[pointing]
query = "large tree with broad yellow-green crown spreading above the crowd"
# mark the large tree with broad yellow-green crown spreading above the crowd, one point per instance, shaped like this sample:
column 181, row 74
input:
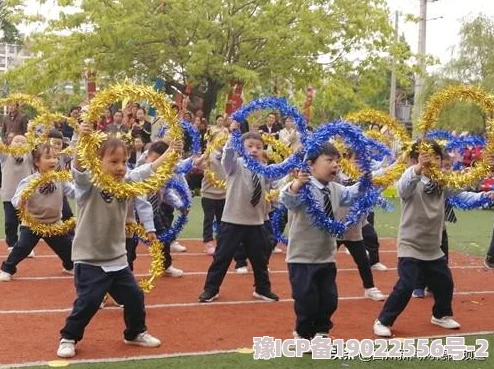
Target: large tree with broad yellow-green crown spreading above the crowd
column 205, row 44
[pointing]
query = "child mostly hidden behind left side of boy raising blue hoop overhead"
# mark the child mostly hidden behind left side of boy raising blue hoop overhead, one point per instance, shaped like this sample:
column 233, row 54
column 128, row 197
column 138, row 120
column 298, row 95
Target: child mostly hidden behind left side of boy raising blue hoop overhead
column 212, row 200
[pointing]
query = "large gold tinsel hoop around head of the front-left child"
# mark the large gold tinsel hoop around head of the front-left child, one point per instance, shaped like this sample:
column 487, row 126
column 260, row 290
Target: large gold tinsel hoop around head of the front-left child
column 87, row 145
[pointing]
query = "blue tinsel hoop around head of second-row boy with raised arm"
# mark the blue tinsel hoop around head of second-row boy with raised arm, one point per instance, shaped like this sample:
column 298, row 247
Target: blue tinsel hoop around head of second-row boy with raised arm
column 272, row 103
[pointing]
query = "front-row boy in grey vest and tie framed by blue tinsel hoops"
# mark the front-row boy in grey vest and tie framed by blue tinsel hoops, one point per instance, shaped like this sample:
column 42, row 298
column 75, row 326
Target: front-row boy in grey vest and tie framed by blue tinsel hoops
column 311, row 252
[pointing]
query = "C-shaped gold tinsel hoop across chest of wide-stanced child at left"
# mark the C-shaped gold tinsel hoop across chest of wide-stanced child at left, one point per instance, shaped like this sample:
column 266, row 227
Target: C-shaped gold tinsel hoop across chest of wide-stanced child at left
column 43, row 229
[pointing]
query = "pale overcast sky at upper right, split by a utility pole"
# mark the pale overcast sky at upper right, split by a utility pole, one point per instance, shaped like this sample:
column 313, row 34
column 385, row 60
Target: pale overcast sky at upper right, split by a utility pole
column 442, row 34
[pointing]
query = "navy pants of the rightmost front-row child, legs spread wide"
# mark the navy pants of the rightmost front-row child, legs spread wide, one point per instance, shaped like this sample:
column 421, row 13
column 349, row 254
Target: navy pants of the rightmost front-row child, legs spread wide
column 439, row 278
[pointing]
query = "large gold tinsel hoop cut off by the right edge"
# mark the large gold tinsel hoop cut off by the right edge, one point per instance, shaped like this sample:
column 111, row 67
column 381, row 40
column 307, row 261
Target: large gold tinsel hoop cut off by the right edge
column 435, row 105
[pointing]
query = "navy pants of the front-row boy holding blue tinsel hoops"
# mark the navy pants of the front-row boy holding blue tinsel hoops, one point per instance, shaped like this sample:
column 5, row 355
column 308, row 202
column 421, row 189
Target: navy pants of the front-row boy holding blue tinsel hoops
column 316, row 297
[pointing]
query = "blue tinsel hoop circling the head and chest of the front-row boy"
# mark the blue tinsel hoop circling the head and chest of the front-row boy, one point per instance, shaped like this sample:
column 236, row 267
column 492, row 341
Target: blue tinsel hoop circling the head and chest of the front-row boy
column 362, row 145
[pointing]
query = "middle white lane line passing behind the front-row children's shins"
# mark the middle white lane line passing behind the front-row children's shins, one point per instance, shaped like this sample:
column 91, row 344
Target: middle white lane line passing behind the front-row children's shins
column 199, row 304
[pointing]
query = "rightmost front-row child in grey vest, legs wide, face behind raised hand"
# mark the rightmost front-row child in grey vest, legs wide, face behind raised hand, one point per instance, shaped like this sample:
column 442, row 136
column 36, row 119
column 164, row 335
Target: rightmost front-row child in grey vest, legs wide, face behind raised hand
column 419, row 240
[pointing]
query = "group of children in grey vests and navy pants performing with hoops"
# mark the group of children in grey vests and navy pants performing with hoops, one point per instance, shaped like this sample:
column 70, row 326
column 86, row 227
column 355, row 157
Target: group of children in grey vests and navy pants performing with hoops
column 102, row 262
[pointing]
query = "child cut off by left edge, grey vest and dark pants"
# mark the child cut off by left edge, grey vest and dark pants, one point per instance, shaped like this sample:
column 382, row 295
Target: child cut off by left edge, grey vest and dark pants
column 14, row 169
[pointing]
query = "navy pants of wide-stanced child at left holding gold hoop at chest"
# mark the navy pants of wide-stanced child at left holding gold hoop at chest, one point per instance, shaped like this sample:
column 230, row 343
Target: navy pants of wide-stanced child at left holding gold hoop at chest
column 61, row 245
